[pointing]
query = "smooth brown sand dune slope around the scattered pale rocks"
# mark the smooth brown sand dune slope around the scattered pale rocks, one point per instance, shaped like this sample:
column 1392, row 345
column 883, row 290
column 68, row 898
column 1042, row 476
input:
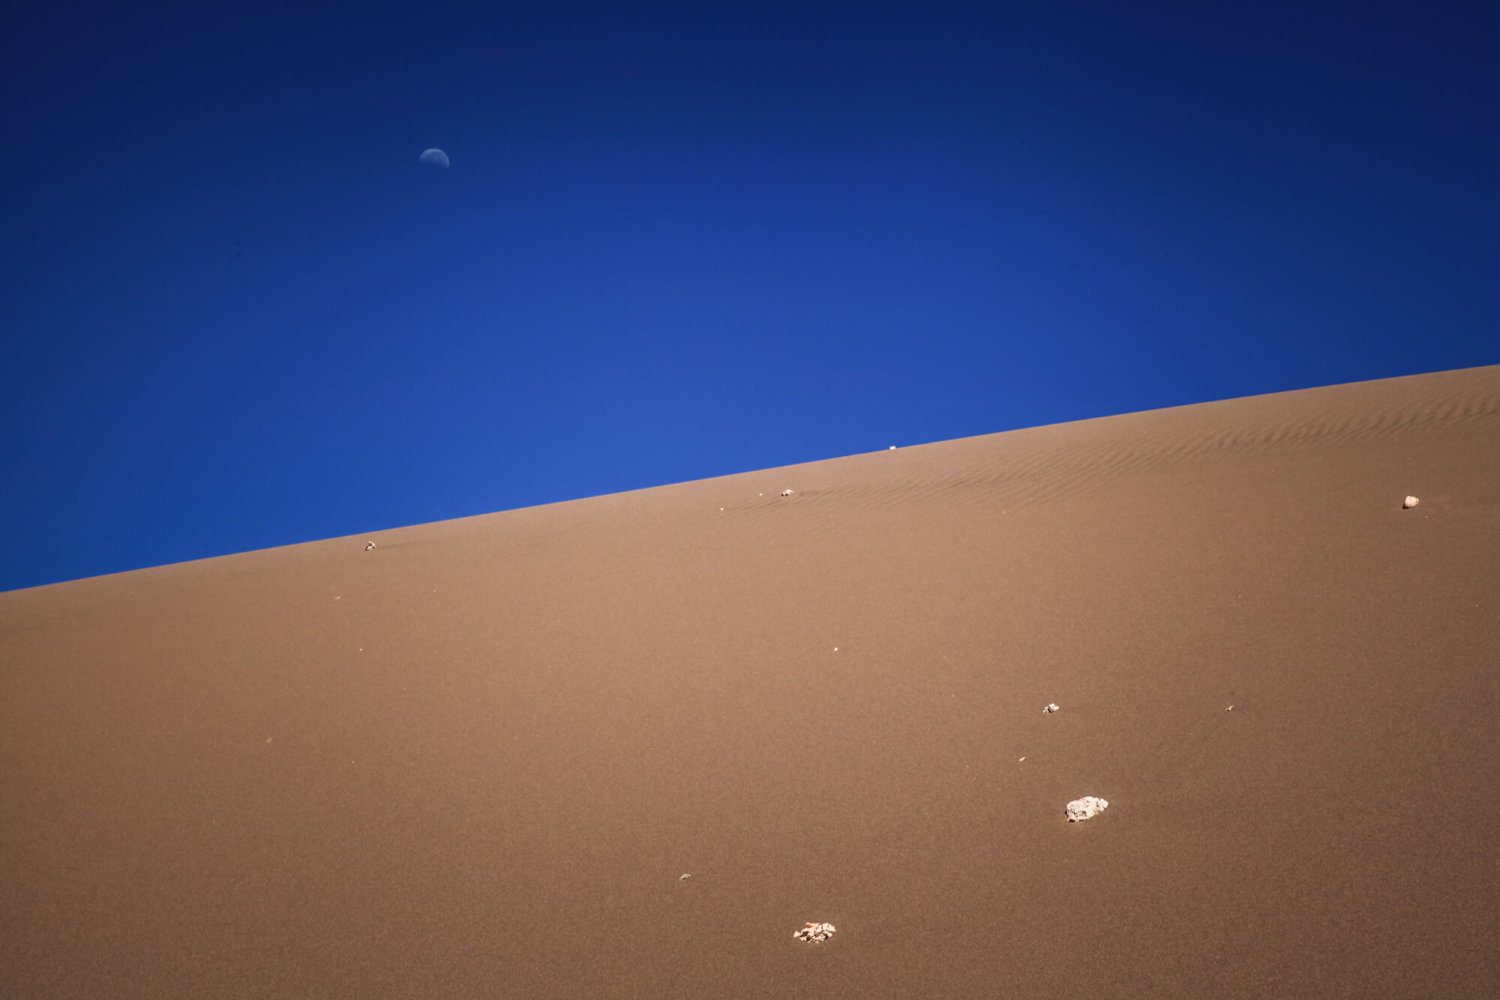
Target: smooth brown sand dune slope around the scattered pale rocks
column 475, row 761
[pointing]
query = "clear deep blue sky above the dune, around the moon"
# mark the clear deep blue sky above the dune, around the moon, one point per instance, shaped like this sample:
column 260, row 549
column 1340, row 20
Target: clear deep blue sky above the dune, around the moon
column 689, row 239
